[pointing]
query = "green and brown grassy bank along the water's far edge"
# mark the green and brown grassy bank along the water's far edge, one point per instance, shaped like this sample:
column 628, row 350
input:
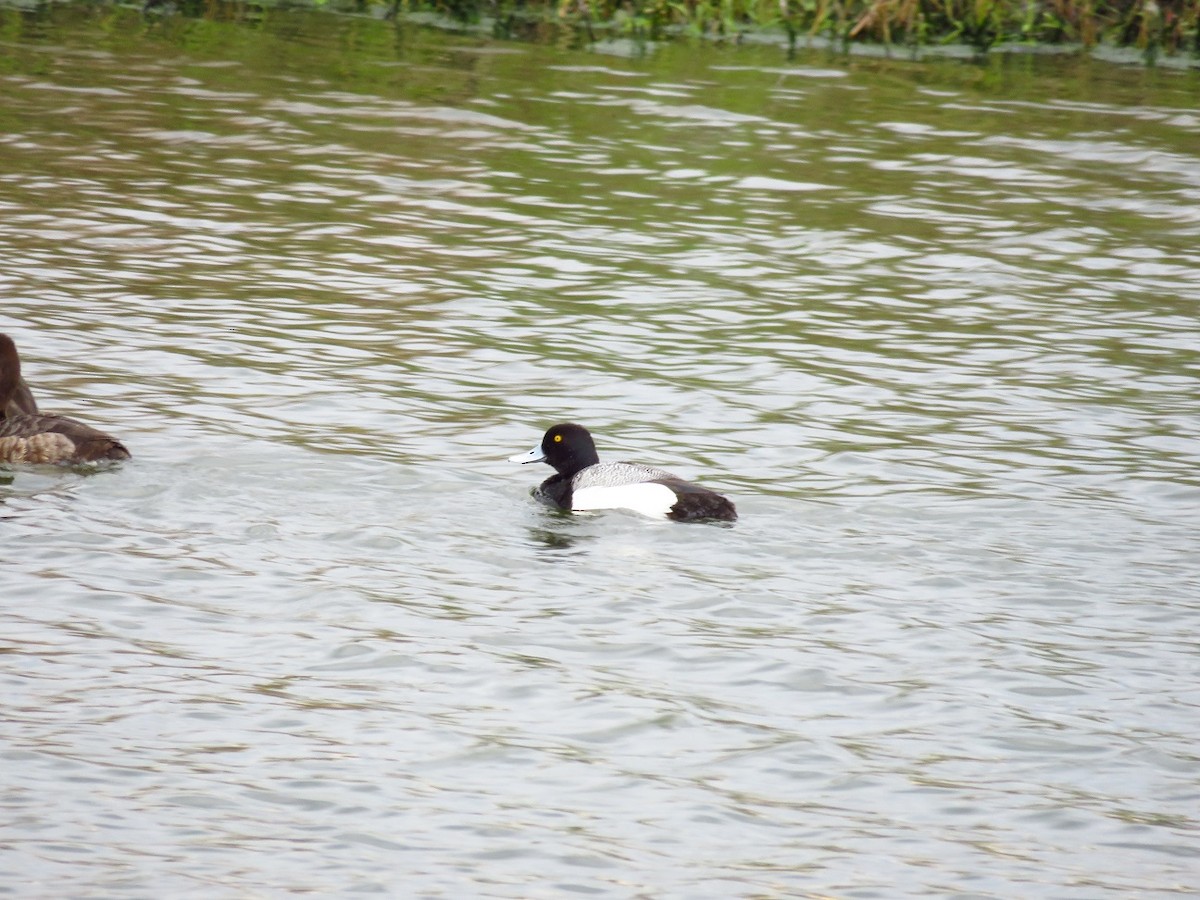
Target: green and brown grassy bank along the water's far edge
column 1153, row 26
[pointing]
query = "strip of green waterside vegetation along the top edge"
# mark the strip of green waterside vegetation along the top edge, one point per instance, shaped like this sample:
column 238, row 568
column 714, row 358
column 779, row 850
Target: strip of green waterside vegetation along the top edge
column 1155, row 27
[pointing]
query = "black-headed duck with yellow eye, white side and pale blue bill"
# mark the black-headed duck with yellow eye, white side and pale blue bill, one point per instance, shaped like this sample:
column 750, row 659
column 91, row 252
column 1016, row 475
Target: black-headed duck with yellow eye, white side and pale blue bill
column 584, row 483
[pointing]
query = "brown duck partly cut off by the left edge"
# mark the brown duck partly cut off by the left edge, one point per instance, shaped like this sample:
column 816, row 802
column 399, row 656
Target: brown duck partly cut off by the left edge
column 29, row 436
